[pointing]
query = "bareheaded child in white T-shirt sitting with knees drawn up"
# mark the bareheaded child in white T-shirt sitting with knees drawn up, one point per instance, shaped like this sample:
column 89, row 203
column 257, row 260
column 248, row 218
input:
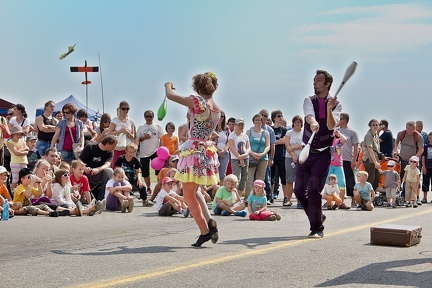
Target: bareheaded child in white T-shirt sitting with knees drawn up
column 117, row 193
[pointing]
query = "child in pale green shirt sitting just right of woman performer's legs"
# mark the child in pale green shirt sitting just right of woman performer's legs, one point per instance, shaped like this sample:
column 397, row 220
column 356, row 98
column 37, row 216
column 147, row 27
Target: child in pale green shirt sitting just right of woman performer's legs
column 227, row 200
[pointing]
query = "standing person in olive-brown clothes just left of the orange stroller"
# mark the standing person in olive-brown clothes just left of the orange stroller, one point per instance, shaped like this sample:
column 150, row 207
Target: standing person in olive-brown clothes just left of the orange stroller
column 371, row 159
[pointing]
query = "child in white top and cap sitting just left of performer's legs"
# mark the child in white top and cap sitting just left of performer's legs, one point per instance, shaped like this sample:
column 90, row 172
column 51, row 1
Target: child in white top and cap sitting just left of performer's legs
column 169, row 202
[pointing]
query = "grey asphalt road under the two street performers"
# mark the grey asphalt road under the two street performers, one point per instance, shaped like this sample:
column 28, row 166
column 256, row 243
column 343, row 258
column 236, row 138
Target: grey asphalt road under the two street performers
column 142, row 249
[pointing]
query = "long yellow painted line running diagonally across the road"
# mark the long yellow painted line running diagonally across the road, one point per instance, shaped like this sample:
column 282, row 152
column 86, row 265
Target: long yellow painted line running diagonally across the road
column 213, row 261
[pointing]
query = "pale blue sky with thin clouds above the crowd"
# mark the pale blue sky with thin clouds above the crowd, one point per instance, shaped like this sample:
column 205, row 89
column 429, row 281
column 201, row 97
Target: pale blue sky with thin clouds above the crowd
column 264, row 53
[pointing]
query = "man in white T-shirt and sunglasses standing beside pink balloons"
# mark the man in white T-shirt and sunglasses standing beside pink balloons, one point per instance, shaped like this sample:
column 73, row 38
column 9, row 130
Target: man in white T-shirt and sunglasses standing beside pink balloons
column 148, row 137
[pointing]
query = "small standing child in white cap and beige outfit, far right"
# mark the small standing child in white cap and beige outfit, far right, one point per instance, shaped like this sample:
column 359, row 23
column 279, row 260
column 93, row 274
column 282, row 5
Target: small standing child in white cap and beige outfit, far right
column 412, row 182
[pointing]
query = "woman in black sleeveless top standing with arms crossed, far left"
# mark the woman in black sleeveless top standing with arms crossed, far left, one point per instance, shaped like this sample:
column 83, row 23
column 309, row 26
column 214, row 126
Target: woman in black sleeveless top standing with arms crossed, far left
column 46, row 125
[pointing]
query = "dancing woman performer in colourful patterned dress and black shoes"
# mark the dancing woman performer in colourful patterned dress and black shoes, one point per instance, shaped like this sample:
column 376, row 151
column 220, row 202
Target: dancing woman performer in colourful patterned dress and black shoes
column 198, row 157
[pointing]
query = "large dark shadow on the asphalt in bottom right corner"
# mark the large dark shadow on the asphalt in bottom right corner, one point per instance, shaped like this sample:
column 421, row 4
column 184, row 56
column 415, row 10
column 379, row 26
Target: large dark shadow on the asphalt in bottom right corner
column 409, row 272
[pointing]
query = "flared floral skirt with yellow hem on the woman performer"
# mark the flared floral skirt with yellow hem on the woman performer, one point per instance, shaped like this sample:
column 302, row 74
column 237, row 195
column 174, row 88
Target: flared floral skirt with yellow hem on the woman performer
column 198, row 163
